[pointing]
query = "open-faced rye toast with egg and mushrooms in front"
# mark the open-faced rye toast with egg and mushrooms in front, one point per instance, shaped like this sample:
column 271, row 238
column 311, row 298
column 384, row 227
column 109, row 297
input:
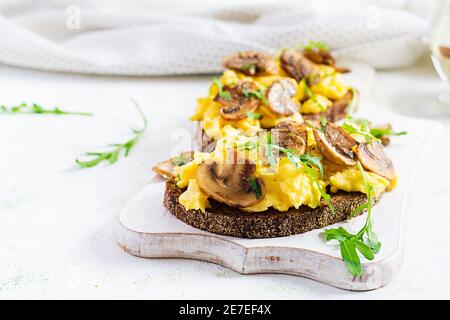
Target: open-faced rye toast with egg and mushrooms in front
column 289, row 180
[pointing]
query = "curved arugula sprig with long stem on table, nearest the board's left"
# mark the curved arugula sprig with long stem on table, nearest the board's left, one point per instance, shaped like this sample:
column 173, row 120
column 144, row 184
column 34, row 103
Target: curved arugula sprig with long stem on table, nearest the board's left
column 113, row 155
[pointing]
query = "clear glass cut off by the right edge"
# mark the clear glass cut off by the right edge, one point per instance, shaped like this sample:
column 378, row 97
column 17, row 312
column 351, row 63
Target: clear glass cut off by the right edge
column 440, row 46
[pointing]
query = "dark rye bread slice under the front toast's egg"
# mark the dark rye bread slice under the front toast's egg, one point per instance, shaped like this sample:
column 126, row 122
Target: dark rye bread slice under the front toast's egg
column 229, row 221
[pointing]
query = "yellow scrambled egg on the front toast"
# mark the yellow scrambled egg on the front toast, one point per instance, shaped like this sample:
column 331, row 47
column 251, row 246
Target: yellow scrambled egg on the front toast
column 286, row 185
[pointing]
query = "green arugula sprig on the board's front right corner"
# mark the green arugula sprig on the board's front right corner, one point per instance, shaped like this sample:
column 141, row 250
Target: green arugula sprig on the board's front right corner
column 365, row 241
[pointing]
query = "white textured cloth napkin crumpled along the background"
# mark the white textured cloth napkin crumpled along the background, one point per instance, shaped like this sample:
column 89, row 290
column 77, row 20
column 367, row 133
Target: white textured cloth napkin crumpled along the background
column 191, row 37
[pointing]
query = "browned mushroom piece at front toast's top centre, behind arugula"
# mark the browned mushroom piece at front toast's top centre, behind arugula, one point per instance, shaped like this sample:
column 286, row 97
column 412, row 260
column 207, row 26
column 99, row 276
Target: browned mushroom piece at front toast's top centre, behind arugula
column 291, row 135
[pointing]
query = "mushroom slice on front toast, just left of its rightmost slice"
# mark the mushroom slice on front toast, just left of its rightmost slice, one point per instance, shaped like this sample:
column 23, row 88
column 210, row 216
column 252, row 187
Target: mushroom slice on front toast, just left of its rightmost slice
column 335, row 144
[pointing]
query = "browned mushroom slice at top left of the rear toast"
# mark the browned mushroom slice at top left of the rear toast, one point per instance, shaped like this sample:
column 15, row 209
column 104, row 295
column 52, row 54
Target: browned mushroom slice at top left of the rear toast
column 252, row 63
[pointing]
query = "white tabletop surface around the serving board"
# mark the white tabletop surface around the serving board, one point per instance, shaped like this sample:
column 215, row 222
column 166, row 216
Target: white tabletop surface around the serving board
column 56, row 221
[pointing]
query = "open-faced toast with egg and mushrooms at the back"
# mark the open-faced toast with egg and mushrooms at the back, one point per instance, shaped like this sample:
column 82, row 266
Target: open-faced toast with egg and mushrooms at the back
column 258, row 90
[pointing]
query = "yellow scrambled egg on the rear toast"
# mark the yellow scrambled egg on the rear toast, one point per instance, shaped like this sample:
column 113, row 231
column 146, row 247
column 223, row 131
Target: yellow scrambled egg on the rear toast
column 315, row 100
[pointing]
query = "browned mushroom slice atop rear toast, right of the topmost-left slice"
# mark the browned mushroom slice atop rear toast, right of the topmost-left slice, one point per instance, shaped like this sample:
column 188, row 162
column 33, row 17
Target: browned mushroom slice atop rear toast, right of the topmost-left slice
column 298, row 66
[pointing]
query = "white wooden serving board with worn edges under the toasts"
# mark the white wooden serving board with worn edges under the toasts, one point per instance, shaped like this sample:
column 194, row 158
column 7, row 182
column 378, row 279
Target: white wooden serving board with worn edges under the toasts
column 145, row 228
